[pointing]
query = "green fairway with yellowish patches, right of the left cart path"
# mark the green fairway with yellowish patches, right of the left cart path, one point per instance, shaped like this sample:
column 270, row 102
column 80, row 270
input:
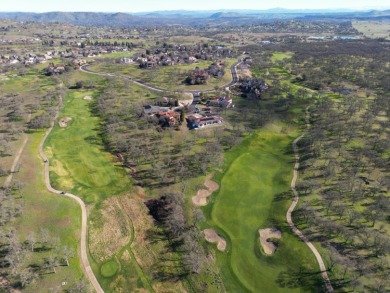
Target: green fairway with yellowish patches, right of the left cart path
column 78, row 162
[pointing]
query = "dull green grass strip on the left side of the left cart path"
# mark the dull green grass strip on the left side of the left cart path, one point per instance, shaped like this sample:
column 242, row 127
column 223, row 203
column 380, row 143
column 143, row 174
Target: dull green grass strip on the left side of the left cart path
column 60, row 216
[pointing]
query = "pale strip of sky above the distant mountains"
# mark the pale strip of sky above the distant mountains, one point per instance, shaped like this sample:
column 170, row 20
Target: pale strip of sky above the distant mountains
column 156, row 5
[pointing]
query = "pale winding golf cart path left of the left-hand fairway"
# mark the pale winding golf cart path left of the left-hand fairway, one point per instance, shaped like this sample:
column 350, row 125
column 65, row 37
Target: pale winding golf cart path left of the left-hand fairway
column 83, row 238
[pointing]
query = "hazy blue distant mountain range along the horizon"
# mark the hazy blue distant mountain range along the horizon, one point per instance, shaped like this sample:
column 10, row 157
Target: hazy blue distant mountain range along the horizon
column 184, row 17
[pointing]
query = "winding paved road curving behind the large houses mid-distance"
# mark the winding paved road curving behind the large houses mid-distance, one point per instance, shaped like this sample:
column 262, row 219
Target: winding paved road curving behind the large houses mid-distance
column 233, row 70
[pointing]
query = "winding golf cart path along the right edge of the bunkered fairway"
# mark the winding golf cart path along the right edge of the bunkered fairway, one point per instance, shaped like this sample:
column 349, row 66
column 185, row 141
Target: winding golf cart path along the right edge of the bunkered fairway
column 294, row 204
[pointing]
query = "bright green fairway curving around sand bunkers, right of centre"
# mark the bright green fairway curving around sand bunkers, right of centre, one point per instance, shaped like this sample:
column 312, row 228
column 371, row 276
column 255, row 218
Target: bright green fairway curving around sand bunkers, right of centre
column 255, row 194
